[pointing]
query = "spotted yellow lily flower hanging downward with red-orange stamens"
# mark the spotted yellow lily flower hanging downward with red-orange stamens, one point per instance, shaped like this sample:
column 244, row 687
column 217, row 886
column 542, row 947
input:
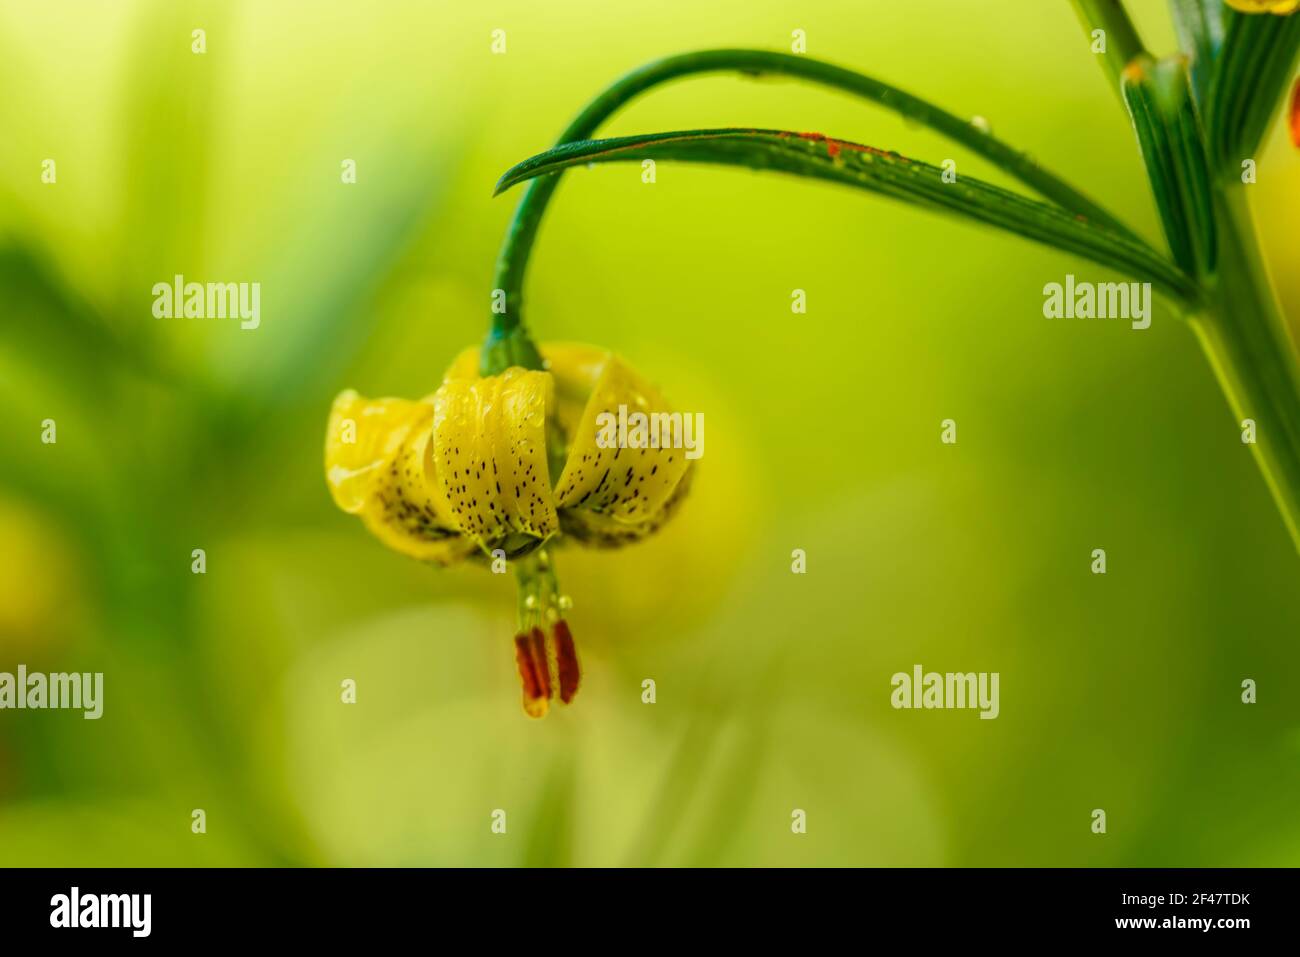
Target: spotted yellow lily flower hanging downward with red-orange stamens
column 466, row 474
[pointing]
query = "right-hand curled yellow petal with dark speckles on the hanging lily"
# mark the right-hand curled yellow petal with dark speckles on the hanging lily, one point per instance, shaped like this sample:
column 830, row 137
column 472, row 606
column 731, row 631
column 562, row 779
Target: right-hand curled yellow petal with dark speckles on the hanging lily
column 623, row 464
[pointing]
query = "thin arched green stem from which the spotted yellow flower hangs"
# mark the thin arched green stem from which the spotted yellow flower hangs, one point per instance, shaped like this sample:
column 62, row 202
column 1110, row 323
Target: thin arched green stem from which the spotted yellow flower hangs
column 509, row 343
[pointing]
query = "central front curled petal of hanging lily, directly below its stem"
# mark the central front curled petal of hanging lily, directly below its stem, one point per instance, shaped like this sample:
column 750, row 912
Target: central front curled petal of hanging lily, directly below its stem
column 489, row 438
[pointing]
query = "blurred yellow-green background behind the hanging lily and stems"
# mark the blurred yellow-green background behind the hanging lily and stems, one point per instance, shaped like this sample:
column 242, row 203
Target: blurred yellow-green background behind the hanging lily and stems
column 223, row 691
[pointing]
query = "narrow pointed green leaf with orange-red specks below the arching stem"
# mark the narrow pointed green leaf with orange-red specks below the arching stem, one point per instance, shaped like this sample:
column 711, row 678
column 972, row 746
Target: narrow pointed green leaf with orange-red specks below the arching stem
column 876, row 171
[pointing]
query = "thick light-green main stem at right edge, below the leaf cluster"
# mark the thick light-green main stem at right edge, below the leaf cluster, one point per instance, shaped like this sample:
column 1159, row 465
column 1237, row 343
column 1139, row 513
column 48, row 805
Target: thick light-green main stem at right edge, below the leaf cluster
column 1246, row 339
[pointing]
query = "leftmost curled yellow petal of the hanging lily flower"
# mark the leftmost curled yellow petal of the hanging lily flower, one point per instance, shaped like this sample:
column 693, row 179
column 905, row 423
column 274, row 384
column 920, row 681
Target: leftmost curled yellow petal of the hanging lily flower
column 379, row 465
